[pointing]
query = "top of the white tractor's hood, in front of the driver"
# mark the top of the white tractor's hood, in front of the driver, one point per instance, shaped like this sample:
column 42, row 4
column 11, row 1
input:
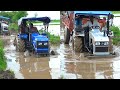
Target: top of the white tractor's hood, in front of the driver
column 98, row 36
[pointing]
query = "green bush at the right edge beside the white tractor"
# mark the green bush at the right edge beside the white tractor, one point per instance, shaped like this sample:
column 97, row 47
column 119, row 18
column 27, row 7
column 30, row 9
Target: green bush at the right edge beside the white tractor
column 116, row 31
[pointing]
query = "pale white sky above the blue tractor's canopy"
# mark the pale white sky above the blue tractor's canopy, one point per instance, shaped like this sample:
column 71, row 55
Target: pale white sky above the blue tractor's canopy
column 51, row 14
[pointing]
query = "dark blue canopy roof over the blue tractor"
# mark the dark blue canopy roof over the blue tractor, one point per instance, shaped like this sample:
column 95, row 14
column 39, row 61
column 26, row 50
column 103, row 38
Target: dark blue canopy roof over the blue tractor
column 43, row 19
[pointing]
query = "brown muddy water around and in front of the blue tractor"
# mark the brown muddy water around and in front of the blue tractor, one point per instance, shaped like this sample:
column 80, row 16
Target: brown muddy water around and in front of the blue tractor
column 32, row 67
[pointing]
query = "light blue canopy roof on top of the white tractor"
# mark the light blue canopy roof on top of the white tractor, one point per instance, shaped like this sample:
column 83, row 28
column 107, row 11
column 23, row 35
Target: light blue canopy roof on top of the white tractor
column 93, row 12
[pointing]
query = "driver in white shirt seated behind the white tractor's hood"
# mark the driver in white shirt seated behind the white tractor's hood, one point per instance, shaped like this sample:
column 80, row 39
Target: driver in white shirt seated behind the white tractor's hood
column 91, row 23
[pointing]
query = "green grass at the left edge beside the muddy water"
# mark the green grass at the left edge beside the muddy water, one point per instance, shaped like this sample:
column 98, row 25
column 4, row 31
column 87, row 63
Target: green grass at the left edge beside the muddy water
column 3, row 63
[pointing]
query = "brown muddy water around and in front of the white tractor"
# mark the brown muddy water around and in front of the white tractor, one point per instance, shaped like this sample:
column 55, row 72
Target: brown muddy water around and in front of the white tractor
column 76, row 66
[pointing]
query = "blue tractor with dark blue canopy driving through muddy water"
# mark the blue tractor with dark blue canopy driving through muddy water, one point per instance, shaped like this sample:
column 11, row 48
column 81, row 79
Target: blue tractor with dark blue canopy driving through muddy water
column 35, row 42
